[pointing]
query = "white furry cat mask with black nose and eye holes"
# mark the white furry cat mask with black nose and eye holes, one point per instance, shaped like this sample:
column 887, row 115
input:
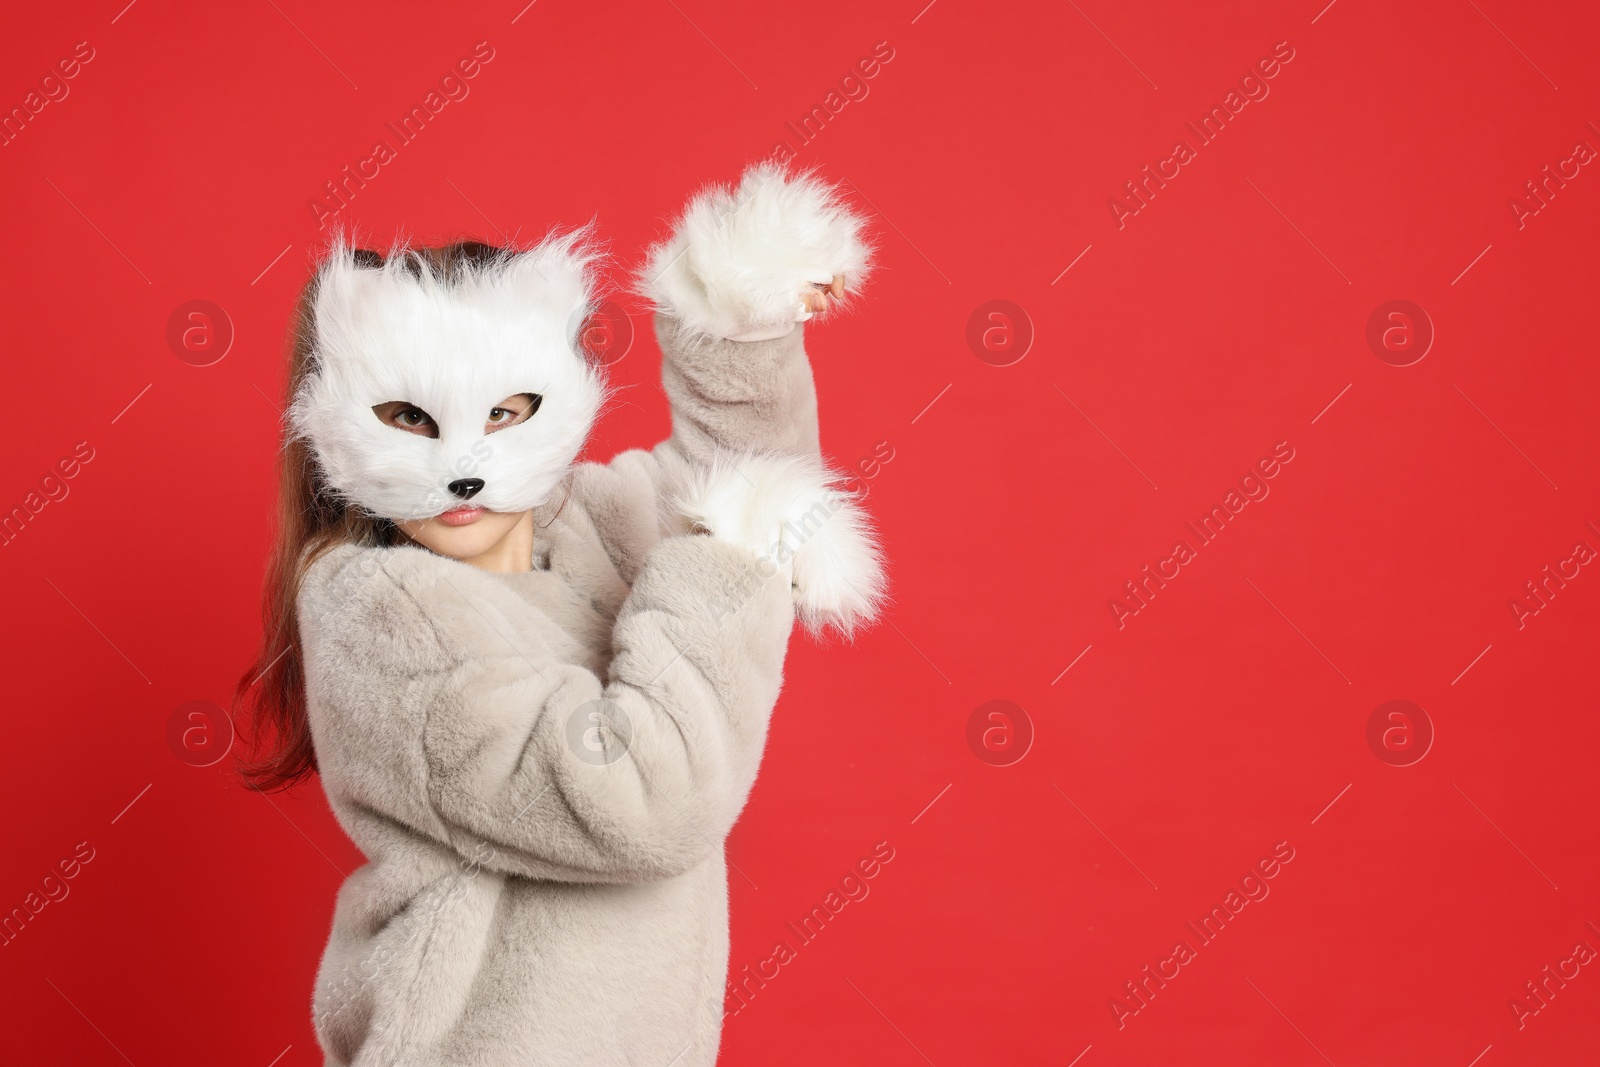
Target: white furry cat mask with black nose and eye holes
column 455, row 348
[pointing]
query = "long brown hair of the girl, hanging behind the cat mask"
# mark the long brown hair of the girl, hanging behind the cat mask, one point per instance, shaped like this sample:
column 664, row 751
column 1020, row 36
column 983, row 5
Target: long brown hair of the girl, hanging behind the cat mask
column 270, row 701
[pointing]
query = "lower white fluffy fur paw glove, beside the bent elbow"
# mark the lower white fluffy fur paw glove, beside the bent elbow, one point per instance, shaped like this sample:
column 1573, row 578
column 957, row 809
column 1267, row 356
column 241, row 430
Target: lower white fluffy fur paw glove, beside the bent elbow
column 801, row 526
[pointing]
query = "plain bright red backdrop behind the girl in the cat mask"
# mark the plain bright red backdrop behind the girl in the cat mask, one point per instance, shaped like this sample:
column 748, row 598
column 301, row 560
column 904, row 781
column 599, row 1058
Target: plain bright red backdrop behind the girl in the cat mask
column 1223, row 319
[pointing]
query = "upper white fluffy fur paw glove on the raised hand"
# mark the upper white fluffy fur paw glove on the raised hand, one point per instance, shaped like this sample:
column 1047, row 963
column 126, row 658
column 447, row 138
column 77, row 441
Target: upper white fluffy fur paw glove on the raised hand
column 746, row 265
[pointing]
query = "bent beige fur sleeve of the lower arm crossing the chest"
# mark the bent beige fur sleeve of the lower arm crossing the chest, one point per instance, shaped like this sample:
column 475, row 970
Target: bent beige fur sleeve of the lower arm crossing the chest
column 447, row 703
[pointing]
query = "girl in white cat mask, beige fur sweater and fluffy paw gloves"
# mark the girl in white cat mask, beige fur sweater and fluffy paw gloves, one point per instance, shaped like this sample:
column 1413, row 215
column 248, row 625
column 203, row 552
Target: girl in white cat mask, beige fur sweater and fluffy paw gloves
column 537, row 693
